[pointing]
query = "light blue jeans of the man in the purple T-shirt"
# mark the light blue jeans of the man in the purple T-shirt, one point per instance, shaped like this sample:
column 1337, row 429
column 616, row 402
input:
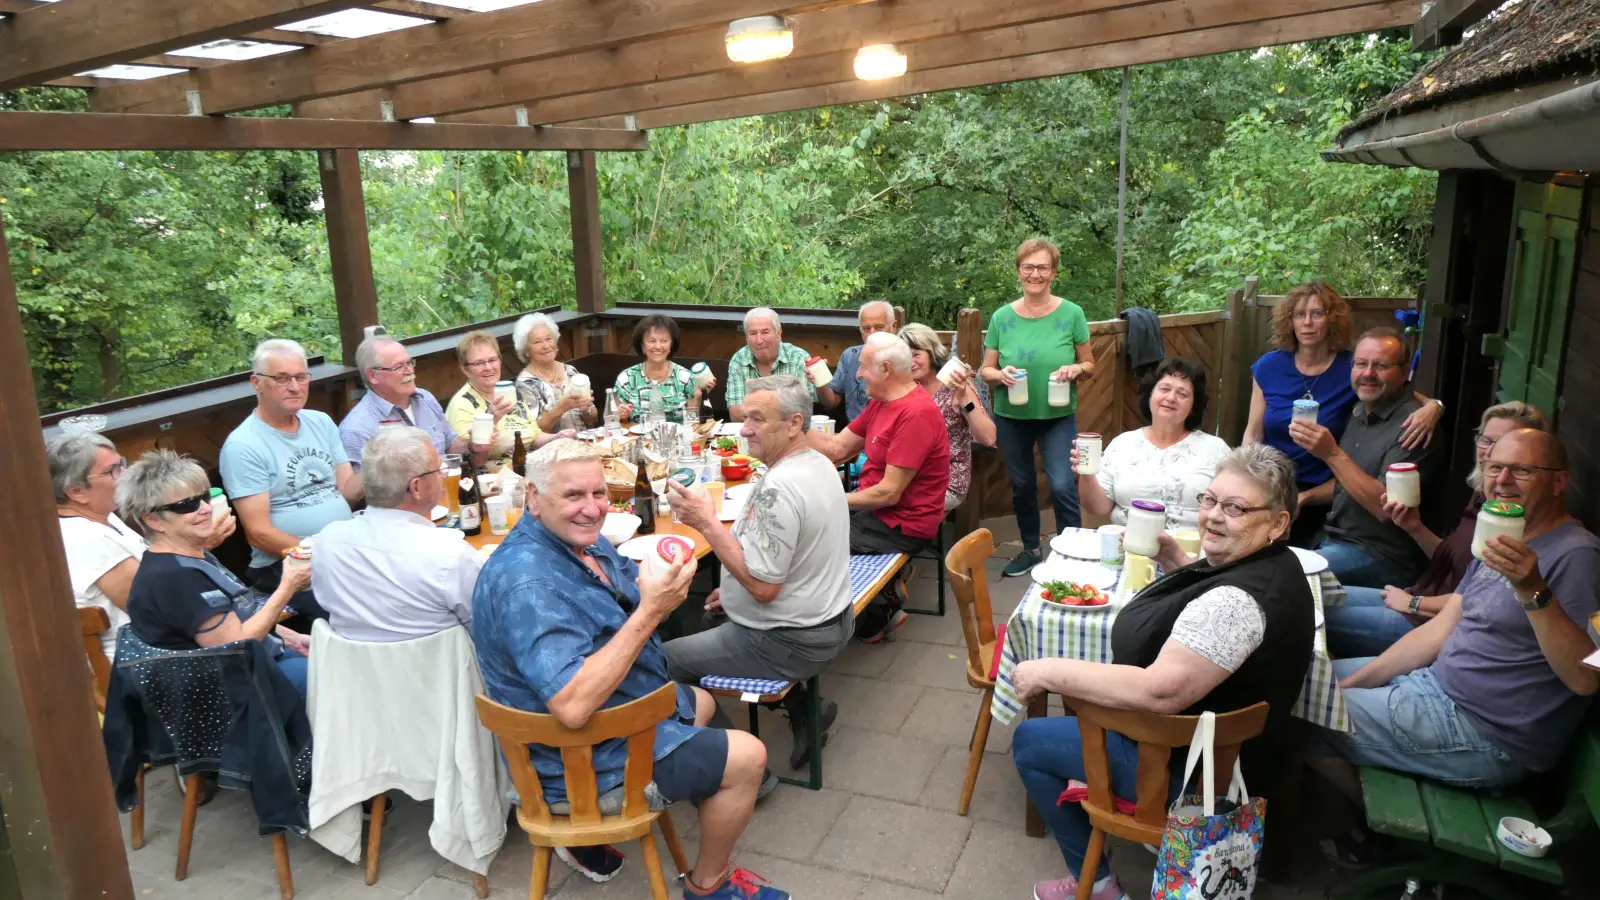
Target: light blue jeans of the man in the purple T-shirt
column 1412, row 726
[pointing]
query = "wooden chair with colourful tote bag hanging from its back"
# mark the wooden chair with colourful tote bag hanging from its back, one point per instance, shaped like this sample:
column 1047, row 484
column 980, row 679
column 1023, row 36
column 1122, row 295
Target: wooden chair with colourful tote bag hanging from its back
column 1156, row 736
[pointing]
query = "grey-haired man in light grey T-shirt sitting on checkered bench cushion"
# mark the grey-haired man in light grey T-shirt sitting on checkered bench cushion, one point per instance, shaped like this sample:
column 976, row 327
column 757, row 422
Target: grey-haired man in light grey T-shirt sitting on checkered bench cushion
column 785, row 563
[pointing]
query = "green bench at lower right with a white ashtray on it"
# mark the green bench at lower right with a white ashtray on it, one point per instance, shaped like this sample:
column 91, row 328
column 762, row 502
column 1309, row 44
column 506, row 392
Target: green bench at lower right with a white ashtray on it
column 1455, row 830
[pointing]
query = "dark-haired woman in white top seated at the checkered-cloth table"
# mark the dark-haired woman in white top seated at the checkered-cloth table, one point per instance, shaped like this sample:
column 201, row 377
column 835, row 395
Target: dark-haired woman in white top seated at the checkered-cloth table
column 1169, row 460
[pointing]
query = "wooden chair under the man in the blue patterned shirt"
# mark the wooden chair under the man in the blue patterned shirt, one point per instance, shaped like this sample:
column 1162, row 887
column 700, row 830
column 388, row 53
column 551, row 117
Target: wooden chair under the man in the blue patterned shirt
column 586, row 827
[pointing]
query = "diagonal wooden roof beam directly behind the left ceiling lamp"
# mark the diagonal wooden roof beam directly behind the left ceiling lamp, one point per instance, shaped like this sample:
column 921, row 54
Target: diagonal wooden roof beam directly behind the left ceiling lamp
column 700, row 54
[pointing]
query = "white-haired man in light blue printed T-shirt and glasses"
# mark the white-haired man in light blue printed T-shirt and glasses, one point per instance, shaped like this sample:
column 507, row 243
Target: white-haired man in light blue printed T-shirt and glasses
column 284, row 467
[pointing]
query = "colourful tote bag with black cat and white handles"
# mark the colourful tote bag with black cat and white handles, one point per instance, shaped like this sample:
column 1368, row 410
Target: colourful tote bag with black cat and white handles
column 1210, row 851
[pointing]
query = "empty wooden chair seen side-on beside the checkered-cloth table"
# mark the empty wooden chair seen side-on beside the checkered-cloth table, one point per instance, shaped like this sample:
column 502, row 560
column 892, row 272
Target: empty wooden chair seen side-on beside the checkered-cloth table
column 969, row 579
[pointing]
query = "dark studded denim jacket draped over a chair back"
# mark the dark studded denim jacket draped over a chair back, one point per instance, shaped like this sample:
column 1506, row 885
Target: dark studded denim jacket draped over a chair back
column 225, row 710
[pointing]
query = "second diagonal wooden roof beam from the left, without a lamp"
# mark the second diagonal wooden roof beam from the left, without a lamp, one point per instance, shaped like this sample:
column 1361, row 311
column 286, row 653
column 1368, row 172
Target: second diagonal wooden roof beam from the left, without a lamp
column 482, row 41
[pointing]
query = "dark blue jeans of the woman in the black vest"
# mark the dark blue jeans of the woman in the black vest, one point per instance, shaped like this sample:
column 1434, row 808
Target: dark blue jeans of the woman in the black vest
column 1049, row 753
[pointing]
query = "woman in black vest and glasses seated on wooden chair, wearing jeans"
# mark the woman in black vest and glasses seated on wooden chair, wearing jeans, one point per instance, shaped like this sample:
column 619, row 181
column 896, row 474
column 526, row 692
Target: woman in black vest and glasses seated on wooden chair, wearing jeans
column 1218, row 635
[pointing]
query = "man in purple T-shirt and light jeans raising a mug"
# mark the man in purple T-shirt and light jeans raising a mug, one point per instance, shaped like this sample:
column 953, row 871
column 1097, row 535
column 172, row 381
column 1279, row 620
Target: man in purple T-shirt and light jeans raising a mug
column 1494, row 688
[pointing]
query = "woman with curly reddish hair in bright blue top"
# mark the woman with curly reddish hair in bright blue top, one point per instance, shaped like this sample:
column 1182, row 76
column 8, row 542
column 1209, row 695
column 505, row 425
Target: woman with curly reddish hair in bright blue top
column 1311, row 331
